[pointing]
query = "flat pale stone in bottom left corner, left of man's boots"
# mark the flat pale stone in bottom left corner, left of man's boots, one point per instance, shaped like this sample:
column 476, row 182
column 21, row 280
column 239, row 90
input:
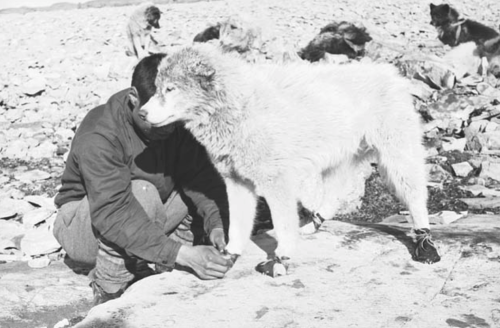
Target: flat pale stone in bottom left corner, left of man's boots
column 39, row 298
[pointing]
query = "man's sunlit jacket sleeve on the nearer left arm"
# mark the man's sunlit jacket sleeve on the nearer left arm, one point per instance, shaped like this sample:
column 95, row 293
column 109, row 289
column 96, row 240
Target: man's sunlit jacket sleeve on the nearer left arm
column 115, row 212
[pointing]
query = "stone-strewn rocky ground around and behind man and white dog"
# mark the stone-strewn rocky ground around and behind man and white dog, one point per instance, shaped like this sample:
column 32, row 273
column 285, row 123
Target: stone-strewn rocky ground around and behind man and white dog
column 57, row 65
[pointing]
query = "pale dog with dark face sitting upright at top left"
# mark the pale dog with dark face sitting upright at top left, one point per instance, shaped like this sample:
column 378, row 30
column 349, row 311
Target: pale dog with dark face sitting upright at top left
column 141, row 22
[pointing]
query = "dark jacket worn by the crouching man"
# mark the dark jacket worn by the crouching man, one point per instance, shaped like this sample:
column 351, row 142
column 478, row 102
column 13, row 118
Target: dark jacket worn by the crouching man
column 107, row 154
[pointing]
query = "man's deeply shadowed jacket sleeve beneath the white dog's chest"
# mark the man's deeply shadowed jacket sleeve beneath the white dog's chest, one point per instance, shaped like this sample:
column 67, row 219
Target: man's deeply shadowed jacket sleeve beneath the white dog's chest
column 200, row 181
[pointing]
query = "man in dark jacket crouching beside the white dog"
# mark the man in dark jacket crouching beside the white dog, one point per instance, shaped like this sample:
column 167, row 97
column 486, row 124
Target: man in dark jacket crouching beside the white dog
column 132, row 195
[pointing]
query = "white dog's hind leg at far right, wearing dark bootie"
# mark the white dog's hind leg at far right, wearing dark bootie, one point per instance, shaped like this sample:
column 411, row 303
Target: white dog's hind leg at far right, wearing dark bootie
column 401, row 163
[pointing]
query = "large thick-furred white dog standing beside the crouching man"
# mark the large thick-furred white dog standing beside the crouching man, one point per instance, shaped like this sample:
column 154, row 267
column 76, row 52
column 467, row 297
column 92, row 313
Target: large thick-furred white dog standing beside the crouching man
column 284, row 131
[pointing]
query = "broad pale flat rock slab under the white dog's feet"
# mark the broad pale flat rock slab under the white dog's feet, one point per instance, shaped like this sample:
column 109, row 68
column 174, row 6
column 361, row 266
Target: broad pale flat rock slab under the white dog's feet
column 346, row 275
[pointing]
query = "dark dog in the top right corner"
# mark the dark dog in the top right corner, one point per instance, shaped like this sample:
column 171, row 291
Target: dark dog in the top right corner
column 453, row 30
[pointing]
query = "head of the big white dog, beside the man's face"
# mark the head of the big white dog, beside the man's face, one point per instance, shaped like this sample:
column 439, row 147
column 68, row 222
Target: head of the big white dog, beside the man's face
column 185, row 82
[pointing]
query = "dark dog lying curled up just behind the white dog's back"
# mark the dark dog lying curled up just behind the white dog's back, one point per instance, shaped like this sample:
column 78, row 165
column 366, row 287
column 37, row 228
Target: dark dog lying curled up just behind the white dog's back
column 337, row 38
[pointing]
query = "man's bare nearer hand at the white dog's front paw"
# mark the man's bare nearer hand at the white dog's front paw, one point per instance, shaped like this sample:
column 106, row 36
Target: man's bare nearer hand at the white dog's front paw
column 206, row 261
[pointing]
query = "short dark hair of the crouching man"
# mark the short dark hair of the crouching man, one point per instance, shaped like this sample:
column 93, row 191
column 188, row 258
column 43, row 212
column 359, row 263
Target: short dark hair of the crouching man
column 144, row 76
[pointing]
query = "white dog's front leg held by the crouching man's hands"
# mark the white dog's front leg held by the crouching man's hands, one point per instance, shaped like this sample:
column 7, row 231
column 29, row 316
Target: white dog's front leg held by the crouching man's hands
column 242, row 210
